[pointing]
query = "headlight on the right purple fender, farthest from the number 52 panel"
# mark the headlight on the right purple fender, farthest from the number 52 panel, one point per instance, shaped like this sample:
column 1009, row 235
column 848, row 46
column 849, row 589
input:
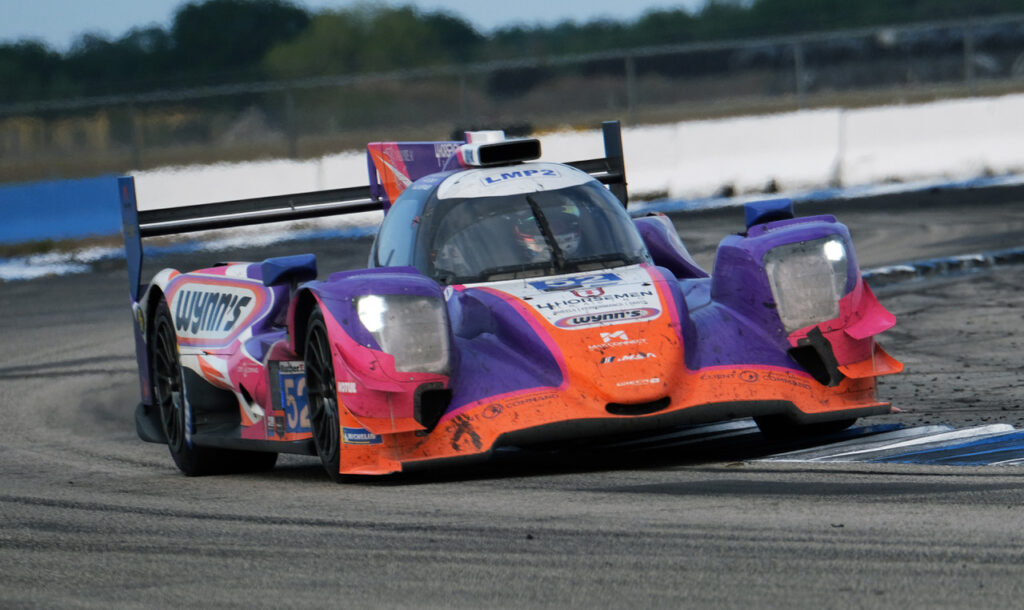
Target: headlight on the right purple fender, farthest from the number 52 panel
column 807, row 281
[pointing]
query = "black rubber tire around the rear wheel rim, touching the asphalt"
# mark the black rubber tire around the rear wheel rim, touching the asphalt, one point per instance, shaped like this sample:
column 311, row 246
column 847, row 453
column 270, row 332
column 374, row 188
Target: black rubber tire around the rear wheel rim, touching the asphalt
column 168, row 397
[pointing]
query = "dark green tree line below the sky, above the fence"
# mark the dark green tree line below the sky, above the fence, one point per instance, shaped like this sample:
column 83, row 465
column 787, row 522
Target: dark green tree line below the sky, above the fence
column 222, row 41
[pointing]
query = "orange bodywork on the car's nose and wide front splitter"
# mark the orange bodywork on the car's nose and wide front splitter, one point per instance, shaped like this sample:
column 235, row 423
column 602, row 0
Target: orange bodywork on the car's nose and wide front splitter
column 643, row 365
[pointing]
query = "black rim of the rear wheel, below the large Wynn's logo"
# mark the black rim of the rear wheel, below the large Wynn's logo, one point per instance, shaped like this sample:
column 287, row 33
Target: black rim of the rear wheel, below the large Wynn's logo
column 167, row 386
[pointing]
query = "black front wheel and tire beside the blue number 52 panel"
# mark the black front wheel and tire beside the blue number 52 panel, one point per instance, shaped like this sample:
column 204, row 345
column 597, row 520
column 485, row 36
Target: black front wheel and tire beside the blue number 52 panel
column 323, row 397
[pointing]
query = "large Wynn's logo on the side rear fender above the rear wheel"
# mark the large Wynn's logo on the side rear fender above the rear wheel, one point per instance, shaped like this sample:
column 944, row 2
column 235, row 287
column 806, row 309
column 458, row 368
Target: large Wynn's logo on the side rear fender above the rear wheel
column 210, row 312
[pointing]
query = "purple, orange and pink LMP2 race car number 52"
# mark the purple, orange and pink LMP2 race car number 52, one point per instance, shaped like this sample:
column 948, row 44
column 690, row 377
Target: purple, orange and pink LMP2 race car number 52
column 507, row 302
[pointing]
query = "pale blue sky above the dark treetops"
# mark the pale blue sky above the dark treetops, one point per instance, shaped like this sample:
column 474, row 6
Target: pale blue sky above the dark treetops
column 60, row 23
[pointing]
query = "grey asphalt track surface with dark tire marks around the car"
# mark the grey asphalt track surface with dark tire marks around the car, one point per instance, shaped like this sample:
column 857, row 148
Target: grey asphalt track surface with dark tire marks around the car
column 93, row 517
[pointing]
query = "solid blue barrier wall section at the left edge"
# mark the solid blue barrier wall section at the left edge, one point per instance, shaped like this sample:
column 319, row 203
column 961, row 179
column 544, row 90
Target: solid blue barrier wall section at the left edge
column 60, row 210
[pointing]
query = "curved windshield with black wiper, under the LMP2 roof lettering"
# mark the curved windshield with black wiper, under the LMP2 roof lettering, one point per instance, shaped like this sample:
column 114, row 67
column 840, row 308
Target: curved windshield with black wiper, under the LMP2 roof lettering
column 578, row 229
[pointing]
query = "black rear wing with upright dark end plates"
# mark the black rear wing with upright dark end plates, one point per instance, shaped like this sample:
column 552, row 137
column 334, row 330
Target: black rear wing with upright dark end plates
column 137, row 225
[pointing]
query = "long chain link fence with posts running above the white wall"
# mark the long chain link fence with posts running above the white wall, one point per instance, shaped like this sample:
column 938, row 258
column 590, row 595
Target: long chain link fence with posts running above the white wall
column 312, row 117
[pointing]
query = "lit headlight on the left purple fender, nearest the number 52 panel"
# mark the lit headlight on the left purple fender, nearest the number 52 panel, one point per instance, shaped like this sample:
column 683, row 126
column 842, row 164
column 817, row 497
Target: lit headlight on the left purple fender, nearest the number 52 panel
column 414, row 330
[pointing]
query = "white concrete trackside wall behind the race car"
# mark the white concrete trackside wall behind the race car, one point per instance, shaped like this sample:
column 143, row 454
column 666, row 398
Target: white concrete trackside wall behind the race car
column 954, row 140
